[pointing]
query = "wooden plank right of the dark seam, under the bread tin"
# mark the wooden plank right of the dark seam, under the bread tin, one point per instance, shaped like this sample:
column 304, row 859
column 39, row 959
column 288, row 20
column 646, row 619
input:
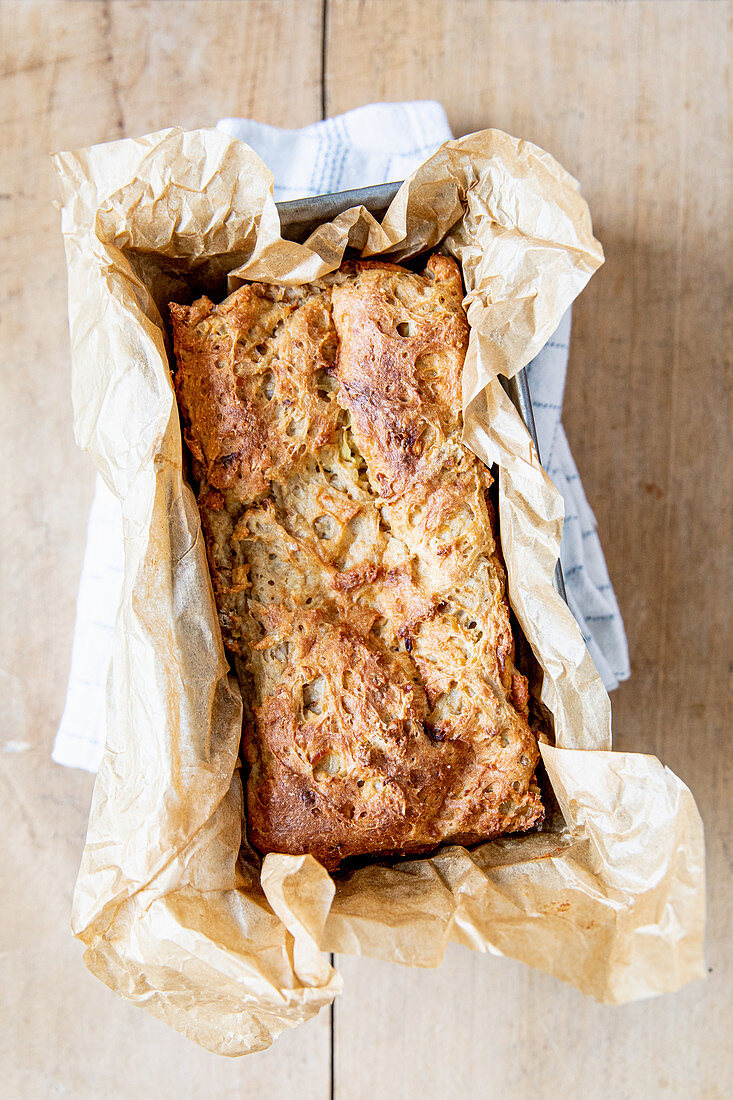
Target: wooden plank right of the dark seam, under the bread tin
column 633, row 101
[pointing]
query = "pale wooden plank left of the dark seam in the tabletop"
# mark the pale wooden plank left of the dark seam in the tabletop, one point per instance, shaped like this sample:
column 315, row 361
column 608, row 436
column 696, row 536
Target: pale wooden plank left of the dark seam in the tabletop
column 71, row 75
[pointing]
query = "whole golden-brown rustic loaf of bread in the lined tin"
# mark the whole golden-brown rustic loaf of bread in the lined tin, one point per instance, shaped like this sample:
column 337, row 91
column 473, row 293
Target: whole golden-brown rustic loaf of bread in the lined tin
column 355, row 565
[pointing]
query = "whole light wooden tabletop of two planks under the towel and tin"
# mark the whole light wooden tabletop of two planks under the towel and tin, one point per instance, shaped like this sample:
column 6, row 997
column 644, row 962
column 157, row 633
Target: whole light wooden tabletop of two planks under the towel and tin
column 633, row 100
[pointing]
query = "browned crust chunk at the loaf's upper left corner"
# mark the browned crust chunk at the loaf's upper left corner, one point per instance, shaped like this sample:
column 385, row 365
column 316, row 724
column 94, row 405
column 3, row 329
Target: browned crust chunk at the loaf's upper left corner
column 248, row 409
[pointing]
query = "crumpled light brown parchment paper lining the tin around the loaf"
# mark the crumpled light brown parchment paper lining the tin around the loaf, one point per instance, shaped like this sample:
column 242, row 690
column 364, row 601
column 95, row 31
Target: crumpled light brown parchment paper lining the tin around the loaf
column 176, row 912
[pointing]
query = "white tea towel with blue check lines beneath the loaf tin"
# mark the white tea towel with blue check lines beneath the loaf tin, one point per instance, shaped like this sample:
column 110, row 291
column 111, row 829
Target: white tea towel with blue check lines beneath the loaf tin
column 374, row 145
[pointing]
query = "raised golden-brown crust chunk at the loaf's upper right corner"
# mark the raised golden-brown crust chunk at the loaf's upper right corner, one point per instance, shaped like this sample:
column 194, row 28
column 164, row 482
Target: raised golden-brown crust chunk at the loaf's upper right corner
column 402, row 344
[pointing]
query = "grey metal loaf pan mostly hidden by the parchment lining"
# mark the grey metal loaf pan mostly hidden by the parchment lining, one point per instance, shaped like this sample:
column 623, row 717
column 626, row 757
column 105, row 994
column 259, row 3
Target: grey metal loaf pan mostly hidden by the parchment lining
column 300, row 217
